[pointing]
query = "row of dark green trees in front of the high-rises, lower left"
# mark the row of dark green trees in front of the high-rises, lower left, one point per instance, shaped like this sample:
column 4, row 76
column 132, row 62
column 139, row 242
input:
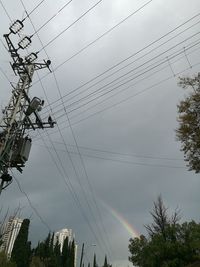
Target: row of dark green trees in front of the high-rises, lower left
column 47, row 253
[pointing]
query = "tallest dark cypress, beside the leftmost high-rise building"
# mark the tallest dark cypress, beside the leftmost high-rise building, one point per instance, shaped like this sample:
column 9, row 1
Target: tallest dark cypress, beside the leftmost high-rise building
column 21, row 249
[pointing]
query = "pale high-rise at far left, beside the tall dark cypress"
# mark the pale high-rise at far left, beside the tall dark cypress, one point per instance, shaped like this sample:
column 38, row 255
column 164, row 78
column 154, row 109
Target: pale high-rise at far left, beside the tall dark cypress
column 9, row 233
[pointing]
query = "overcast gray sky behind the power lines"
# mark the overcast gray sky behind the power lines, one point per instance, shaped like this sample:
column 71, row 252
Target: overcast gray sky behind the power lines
column 123, row 121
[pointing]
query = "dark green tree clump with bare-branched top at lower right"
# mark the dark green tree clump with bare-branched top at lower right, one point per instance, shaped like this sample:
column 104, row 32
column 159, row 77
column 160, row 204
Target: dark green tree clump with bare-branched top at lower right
column 168, row 244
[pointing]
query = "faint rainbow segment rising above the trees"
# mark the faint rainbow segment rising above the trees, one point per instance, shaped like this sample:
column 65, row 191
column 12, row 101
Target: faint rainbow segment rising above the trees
column 123, row 221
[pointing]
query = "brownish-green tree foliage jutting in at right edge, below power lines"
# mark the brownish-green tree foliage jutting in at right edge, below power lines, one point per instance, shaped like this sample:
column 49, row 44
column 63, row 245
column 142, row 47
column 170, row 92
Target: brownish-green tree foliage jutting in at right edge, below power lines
column 188, row 132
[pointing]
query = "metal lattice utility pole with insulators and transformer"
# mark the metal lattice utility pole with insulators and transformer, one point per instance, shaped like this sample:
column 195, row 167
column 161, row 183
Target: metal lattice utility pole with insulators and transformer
column 22, row 112
